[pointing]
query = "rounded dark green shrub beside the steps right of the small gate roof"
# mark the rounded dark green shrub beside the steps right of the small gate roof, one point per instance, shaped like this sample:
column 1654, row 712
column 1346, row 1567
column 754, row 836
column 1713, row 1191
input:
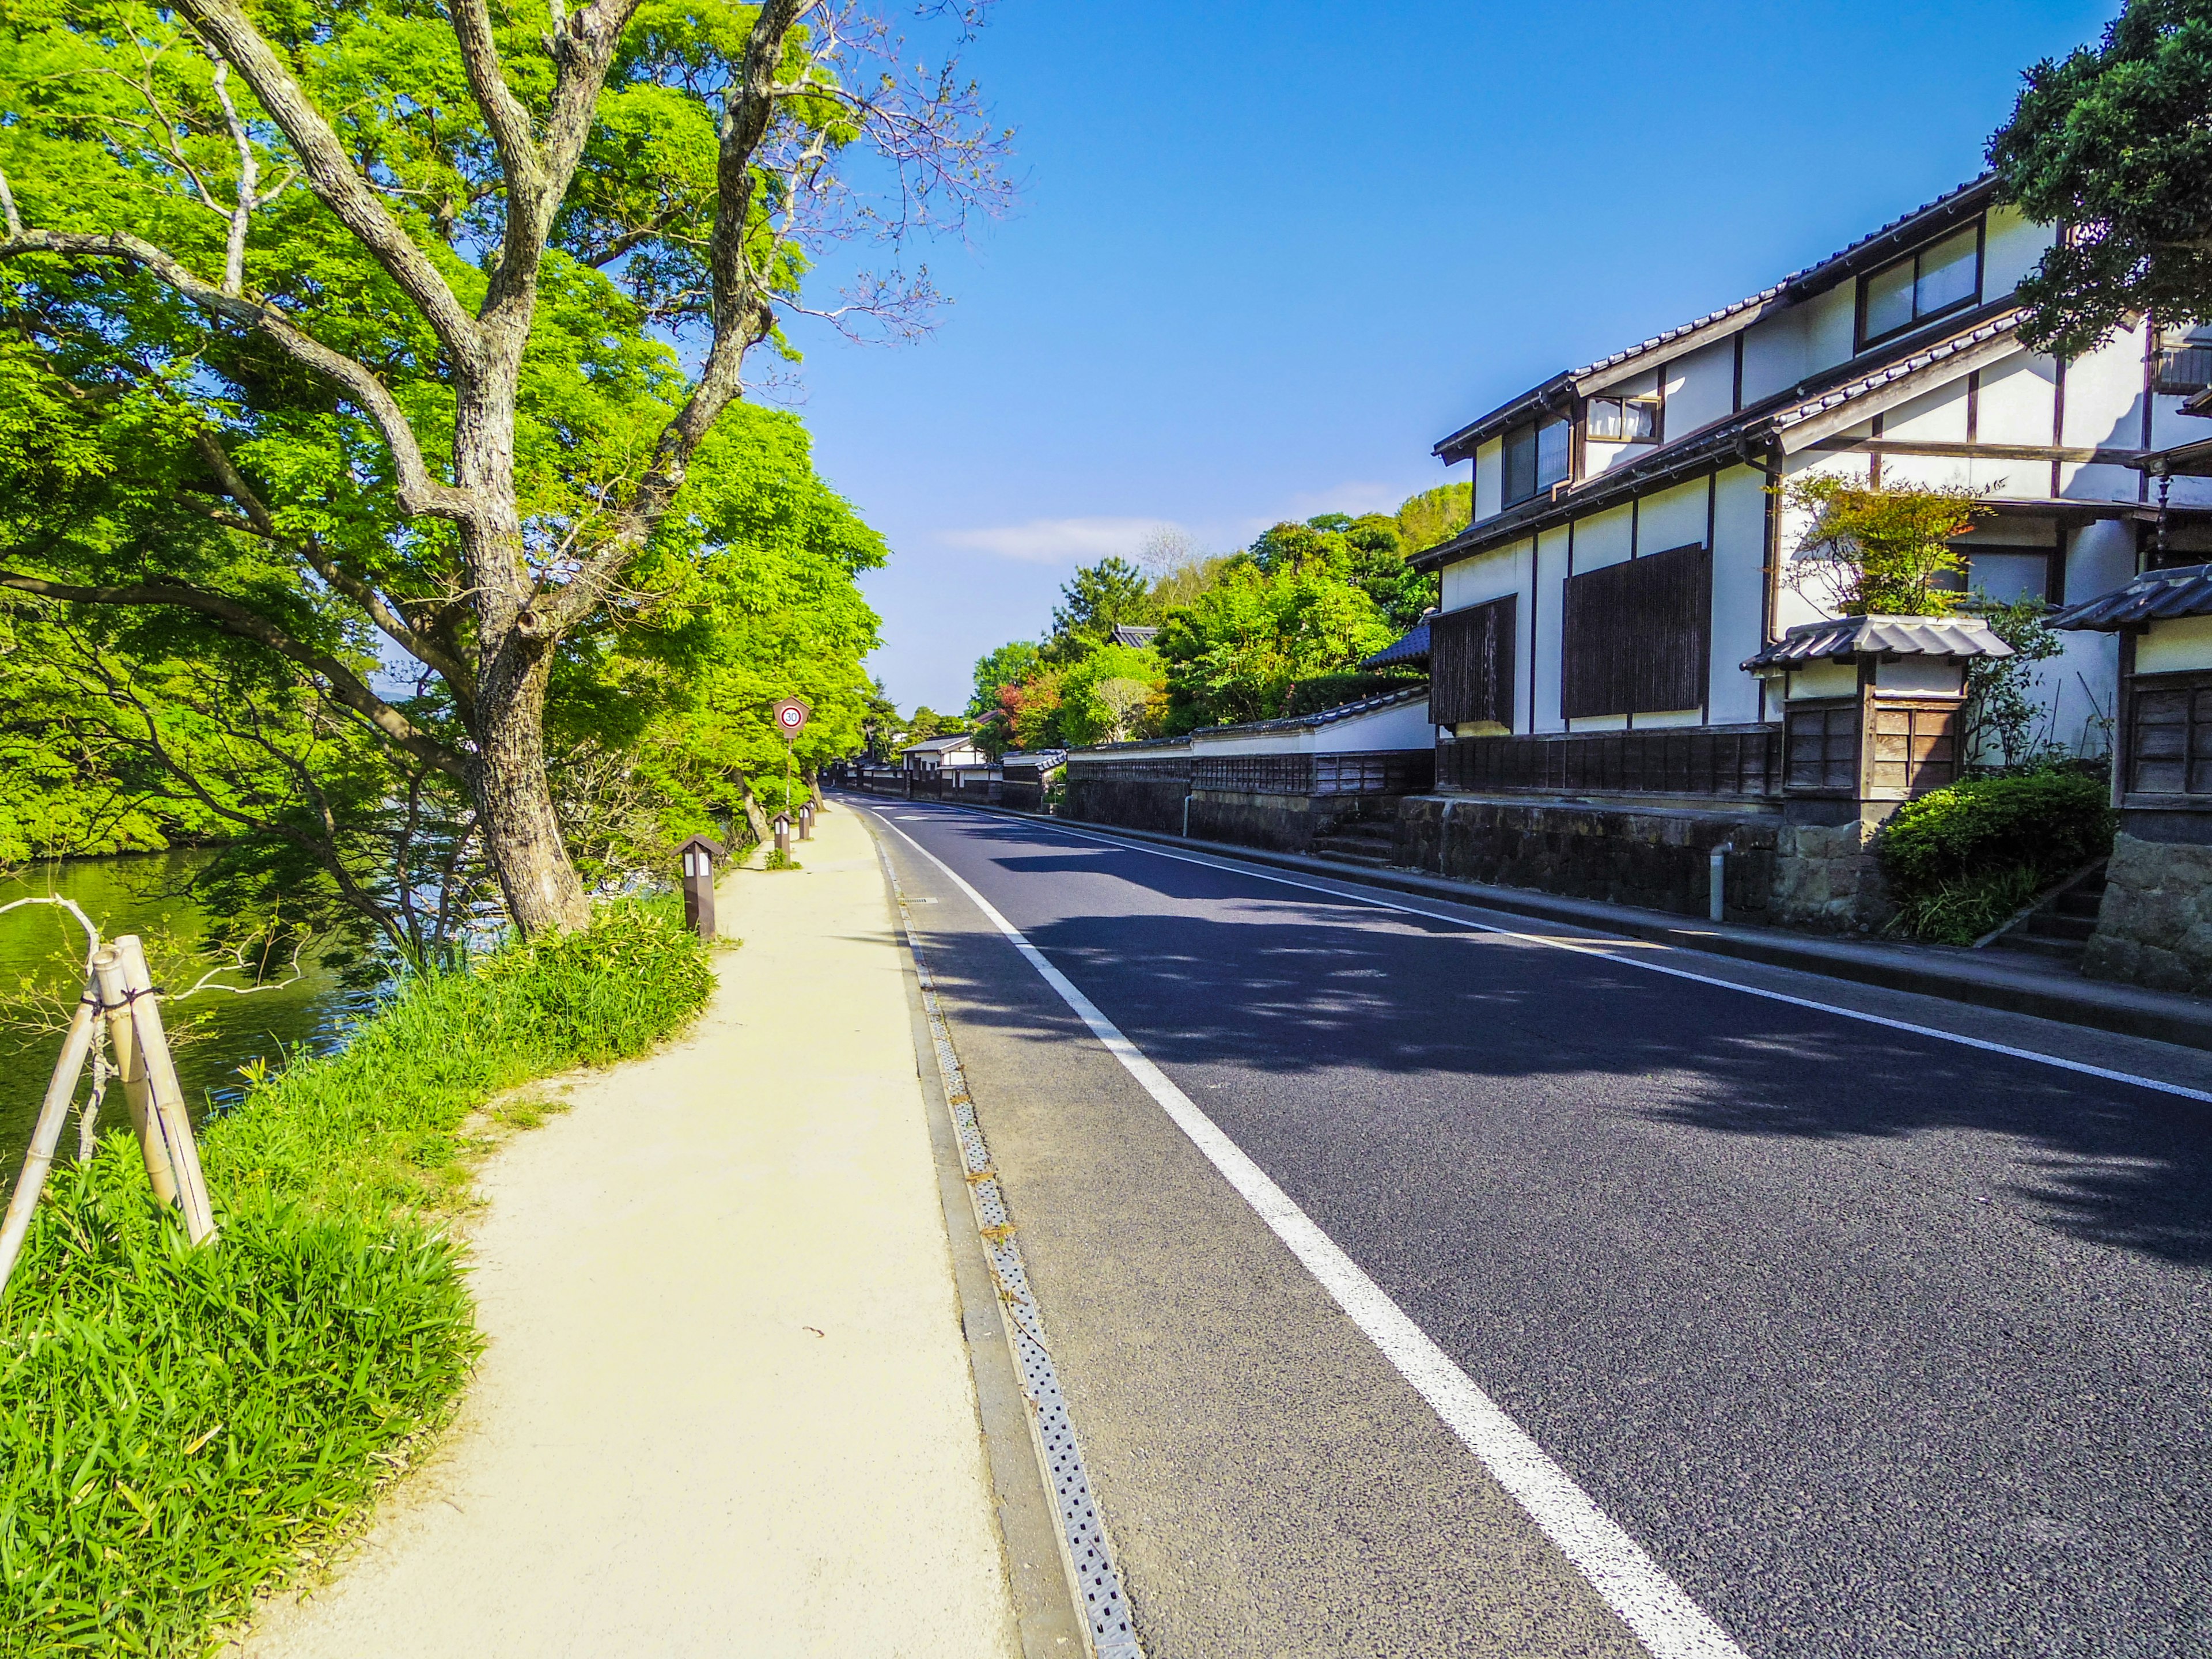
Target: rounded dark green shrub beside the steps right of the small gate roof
column 1957, row 853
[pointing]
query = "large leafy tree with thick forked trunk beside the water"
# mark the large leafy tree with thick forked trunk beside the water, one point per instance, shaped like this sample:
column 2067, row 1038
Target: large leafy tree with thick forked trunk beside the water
column 406, row 335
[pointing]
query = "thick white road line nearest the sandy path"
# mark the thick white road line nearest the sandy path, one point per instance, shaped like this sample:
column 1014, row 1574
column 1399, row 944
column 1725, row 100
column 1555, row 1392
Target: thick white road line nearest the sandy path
column 1634, row 1585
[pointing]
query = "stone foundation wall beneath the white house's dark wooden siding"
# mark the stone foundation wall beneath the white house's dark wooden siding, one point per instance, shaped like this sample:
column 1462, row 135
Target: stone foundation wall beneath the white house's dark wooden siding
column 1651, row 857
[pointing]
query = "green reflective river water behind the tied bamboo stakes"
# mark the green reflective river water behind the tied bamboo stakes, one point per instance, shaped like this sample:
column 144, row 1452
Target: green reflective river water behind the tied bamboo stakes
column 145, row 895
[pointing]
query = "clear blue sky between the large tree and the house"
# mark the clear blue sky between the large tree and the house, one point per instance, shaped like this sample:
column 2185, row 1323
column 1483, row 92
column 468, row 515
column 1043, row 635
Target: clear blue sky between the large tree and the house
column 1266, row 255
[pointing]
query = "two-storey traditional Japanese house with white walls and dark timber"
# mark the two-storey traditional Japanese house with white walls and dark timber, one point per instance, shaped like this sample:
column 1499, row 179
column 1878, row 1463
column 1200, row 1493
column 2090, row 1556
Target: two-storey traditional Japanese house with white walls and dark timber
column 1618, row 620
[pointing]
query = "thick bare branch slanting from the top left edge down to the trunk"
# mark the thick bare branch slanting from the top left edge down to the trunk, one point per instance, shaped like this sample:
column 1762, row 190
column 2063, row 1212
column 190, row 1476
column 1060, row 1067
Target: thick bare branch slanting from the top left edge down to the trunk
column 333, row 176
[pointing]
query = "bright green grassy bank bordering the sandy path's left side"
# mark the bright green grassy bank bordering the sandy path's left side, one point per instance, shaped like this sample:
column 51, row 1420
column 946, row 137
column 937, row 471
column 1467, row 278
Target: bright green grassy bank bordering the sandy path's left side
column 180, row 1428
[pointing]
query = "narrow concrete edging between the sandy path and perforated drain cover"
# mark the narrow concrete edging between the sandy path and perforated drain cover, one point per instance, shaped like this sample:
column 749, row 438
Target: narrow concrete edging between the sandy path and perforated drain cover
column 1034, row 1554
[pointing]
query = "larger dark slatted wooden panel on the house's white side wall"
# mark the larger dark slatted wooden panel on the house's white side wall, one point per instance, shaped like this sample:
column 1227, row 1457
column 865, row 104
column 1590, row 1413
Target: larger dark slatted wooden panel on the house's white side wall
column 1638, row 636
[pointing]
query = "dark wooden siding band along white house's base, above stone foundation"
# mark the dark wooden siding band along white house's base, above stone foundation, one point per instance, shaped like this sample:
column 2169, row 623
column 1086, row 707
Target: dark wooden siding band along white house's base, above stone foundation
column 1742, row 762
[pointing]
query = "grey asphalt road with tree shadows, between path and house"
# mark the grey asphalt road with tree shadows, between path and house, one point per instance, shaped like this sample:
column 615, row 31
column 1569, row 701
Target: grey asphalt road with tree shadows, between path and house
column 1875, row 1342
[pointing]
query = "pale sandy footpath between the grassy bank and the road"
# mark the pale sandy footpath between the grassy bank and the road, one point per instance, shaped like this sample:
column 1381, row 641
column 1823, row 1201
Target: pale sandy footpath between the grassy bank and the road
column 727, row 1408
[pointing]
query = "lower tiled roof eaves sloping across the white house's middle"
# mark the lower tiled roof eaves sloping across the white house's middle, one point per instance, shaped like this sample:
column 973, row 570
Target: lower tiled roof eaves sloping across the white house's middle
column 1760, row 428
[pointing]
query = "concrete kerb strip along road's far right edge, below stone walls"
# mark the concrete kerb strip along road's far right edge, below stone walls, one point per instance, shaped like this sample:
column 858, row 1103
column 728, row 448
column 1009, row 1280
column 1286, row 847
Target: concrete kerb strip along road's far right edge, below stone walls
column 1926, row 970
